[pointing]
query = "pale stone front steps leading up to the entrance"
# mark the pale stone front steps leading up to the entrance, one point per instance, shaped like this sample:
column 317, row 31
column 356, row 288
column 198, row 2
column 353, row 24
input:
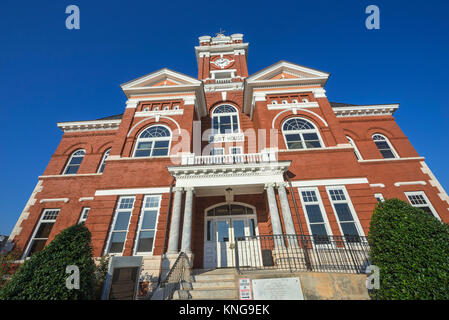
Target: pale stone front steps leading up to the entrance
column 218, row 284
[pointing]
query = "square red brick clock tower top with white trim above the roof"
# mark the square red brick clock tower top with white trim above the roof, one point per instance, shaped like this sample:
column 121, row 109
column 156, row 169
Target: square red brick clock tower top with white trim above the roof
column 222, row 61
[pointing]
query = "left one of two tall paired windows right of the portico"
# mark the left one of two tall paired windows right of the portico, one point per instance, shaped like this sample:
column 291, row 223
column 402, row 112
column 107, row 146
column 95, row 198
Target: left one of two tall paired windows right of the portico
column 315, row 215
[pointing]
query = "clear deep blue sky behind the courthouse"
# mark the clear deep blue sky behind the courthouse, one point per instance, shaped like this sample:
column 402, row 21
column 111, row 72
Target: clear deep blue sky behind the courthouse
column 50, row 74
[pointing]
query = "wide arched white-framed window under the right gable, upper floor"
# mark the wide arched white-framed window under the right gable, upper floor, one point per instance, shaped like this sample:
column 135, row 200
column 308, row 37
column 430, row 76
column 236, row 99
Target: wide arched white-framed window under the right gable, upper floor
column 301, row 134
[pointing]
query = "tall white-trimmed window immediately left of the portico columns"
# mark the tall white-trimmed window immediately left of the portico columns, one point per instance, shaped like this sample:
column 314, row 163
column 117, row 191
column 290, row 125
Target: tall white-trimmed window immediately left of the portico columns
column 146, row 231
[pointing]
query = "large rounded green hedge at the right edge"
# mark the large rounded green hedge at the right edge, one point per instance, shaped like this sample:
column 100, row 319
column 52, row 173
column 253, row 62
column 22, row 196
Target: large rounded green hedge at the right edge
column 411, row 249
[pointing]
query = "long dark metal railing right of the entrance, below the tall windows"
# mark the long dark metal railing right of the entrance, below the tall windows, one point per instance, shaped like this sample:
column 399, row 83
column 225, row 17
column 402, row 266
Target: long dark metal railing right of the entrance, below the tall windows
column 297, row 253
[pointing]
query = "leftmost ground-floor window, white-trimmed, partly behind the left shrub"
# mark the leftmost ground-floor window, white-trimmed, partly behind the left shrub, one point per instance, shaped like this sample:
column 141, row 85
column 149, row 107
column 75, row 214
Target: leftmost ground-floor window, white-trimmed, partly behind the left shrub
column 42, row 231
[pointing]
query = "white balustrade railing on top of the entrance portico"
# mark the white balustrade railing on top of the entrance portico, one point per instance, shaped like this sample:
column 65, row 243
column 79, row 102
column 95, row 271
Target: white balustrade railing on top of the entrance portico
column 265, row 156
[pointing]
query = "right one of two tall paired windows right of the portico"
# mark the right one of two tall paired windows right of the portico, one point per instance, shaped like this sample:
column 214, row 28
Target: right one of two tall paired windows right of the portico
column 345, row 213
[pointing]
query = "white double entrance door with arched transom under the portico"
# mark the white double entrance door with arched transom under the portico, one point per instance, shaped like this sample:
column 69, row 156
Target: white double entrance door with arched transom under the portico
column 229, row 237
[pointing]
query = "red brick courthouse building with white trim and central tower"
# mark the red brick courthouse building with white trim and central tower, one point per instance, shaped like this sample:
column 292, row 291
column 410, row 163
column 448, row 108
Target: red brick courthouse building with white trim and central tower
column 195, row 162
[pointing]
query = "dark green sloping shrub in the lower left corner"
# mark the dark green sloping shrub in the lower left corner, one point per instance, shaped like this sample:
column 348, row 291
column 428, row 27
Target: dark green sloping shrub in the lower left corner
column 43, row 276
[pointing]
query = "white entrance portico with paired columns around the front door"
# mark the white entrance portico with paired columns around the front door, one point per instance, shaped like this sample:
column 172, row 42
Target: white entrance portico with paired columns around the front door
column 230, row 192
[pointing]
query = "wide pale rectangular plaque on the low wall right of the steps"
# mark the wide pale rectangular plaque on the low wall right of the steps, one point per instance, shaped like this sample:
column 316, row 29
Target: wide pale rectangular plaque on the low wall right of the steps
column 277, row 289
